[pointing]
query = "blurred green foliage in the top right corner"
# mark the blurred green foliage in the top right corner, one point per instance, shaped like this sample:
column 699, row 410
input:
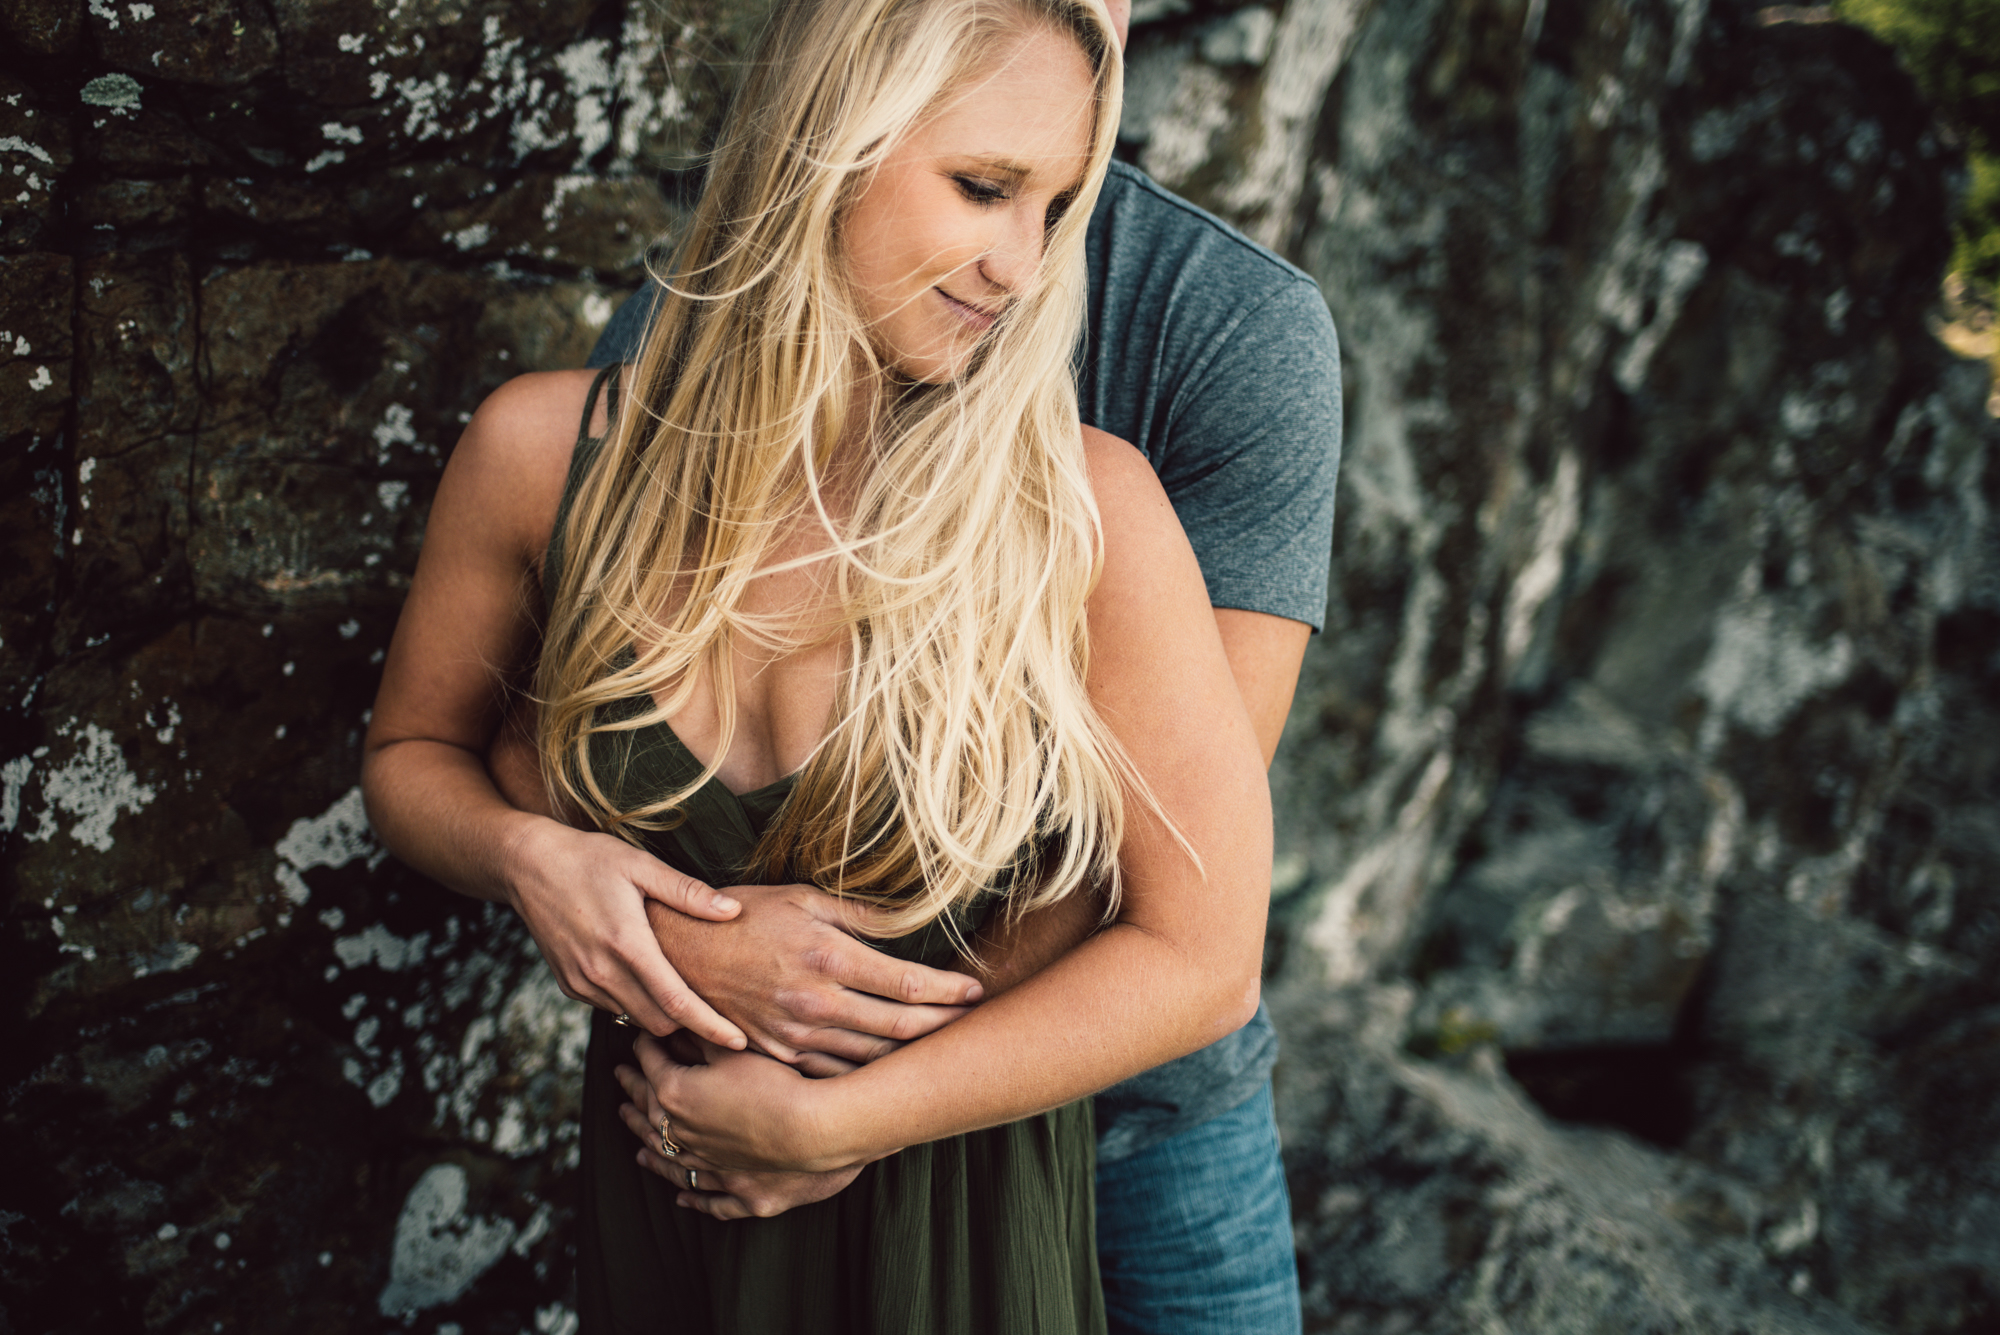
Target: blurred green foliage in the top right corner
column 1953, row 51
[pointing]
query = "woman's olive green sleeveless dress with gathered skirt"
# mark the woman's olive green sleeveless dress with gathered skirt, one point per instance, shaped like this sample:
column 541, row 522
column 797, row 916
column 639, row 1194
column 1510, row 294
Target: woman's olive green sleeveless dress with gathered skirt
column 983, row 1234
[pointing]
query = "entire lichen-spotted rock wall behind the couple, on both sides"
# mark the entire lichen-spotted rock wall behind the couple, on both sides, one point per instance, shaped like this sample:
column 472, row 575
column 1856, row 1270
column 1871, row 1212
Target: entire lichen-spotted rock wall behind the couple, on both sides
column 1635, row 924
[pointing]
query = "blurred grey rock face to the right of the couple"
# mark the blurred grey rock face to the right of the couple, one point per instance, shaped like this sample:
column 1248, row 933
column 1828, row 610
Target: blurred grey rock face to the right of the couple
column 1647, row 764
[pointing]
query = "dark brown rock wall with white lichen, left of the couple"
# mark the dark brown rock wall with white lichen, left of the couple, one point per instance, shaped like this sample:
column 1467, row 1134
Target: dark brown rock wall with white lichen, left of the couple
column 261, row 263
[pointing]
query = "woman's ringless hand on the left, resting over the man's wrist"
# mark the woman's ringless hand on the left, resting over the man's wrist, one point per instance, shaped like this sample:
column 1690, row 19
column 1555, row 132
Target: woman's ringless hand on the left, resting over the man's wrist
column 585, row 902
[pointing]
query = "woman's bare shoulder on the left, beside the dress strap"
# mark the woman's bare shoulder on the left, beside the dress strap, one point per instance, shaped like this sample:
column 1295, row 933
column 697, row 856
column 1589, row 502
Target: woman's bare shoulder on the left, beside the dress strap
column 515, row 455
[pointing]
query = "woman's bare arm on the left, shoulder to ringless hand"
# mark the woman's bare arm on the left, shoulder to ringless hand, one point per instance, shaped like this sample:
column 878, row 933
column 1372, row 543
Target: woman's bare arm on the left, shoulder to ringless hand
column 469, row 623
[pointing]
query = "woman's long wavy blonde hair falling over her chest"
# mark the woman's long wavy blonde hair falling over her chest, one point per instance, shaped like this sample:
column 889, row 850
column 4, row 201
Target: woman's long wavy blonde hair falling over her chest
column 963, row 742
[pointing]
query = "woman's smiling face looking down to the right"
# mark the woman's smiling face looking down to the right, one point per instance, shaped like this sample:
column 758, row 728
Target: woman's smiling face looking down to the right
column 951, row 227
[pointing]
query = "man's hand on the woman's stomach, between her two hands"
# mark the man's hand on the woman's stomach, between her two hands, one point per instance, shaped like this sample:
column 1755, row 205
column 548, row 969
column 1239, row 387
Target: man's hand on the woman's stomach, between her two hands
column 797, row 980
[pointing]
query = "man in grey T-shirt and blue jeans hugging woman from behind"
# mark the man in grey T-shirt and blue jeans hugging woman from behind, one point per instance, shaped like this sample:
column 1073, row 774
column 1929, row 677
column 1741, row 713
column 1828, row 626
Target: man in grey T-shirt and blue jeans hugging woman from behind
column 1219, row 363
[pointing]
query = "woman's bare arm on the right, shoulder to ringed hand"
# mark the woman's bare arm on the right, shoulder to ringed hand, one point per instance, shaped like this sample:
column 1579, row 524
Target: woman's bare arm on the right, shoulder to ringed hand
column 1175, row 972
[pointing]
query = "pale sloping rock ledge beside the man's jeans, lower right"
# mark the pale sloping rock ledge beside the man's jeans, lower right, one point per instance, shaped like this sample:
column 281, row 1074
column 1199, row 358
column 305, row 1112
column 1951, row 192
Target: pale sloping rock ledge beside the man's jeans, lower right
column 1435, row 1198
